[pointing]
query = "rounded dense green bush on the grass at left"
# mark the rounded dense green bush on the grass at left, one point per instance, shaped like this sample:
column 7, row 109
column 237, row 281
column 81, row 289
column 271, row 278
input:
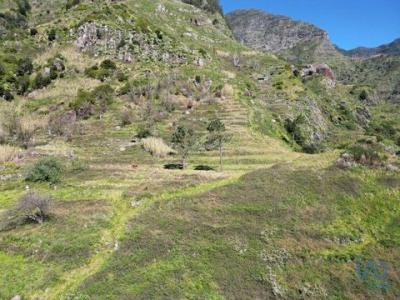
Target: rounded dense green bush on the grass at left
column 48, row 169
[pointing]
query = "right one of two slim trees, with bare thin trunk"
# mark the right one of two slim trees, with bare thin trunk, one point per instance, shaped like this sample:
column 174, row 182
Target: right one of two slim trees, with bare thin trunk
column 217, row 137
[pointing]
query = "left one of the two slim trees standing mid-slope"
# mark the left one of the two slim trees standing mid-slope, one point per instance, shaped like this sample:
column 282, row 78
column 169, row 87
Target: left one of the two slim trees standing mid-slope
column 184, row 142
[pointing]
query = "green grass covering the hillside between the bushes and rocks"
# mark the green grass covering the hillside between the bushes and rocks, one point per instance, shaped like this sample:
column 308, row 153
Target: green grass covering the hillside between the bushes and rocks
column 275, row 223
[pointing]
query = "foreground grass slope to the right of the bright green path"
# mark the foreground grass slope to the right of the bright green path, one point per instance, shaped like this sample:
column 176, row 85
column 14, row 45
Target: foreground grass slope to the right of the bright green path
column 308, row 234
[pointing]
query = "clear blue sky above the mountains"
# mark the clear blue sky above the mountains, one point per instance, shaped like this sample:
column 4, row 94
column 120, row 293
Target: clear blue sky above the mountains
column 349, row 23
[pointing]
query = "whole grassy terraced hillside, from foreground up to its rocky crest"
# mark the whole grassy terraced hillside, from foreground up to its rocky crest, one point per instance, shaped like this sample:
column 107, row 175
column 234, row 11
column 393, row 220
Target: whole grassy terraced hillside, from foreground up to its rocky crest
column 82, row 87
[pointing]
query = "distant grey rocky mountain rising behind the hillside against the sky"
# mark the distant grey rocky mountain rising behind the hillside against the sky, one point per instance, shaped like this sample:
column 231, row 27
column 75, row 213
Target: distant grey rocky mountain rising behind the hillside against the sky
column 295, row 40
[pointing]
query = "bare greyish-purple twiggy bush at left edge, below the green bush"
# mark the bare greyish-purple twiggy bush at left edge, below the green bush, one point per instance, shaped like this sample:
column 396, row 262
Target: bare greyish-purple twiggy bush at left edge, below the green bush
column 31, row 207
